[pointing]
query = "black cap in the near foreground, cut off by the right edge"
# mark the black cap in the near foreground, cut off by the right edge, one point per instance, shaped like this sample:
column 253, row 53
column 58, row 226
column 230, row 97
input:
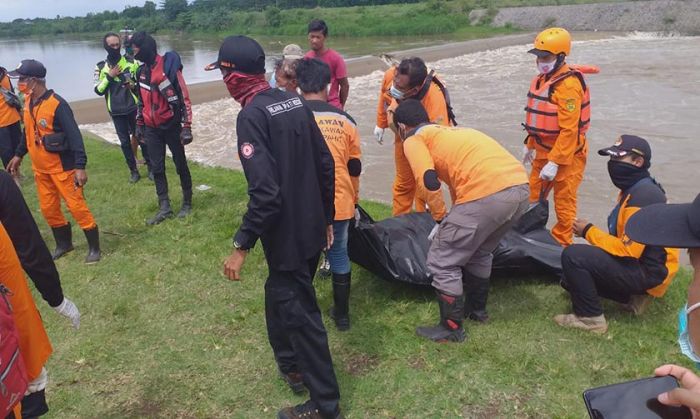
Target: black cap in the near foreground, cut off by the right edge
column 667, row 225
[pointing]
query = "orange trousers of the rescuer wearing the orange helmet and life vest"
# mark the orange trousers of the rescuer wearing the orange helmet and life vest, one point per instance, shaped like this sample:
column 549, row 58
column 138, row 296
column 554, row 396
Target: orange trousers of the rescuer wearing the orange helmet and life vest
column 565, row 189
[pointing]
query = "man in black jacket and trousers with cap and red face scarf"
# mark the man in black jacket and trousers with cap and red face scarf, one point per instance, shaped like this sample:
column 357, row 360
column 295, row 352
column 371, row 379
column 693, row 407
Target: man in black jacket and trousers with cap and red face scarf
column 290, row 175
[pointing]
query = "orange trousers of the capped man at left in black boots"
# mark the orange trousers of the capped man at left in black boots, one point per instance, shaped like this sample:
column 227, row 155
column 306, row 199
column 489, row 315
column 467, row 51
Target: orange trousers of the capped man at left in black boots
column 51, row 188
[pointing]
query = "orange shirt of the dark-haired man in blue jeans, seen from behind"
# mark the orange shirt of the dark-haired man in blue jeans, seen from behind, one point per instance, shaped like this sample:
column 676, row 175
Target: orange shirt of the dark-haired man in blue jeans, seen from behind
column 343, row 140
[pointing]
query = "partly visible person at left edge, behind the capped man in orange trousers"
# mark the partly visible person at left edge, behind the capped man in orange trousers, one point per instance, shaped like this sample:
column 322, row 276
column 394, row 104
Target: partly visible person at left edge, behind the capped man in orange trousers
column 10, row 129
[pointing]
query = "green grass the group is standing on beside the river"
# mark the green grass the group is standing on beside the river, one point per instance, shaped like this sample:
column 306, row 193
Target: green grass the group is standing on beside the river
column 163, row 334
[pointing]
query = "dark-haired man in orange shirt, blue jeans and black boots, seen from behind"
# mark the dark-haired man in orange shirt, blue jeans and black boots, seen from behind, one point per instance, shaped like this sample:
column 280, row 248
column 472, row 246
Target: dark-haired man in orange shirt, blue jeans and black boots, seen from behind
column 340, row 132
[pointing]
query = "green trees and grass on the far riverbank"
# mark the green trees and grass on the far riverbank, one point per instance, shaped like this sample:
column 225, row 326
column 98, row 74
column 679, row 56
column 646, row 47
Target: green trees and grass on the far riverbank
column 279, row 17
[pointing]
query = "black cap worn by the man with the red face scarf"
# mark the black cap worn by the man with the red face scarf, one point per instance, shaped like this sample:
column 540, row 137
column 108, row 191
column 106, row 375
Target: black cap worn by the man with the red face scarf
column 240, row 53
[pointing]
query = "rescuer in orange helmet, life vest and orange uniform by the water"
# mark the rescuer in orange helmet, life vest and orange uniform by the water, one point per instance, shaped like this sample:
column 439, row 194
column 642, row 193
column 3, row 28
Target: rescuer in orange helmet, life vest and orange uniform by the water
column 557, row 118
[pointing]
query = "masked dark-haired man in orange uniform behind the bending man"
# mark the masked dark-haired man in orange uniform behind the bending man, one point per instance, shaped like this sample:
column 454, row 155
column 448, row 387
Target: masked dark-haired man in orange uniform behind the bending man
column 412, row 81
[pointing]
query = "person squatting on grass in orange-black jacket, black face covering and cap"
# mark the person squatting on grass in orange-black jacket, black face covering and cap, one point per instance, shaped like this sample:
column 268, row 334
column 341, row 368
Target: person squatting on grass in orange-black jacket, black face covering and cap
column 614, row 266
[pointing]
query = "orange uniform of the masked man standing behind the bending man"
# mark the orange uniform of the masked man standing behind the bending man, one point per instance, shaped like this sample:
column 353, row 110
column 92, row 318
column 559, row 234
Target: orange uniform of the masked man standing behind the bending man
column 434, row 103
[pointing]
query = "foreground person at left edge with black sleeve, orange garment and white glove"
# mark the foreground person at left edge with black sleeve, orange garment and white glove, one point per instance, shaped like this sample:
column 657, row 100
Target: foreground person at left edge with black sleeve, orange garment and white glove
column 22, row 248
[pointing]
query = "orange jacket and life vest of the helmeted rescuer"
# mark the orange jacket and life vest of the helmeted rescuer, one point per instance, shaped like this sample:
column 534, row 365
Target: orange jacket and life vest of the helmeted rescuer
column 558, row 115
